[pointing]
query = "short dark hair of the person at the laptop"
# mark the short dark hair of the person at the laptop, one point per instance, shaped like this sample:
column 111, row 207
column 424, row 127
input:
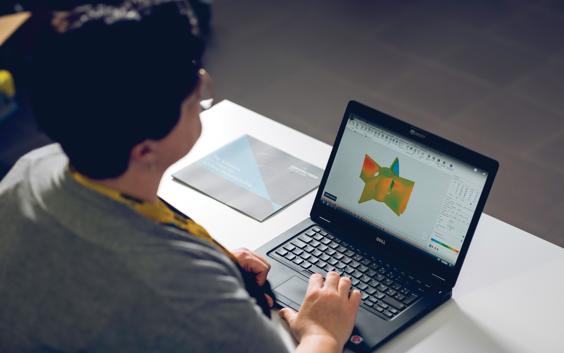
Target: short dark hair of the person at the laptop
column 105, row 78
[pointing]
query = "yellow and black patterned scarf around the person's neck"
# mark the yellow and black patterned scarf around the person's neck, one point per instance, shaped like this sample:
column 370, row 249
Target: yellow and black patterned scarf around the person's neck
column 156, row 211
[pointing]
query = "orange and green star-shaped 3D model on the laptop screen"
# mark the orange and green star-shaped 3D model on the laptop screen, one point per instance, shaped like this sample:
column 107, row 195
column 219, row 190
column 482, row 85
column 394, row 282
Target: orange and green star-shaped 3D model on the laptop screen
column 385, row 185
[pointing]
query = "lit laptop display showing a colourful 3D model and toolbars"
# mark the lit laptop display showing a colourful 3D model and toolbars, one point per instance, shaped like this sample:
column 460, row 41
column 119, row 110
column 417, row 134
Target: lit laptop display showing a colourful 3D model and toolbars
column 416, row 194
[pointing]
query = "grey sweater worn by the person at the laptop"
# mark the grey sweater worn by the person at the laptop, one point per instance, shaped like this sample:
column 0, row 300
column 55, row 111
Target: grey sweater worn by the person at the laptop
column 80, row 272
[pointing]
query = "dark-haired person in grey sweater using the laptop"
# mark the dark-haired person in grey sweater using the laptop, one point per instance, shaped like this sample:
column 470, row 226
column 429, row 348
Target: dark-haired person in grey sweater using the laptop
column 90, row 259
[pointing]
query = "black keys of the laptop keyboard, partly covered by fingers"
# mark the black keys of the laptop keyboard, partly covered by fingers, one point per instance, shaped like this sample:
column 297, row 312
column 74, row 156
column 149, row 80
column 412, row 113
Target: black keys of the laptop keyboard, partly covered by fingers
column 386, row 290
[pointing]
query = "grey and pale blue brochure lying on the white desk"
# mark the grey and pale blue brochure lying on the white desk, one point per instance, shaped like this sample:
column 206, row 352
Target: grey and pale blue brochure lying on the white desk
column 251, row 177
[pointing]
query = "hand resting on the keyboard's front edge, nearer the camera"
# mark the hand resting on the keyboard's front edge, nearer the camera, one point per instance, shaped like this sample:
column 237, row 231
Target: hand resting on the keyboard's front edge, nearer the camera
column 328, row 312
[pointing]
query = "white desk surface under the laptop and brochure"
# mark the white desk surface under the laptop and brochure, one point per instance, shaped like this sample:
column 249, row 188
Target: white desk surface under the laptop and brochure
column 509, row 296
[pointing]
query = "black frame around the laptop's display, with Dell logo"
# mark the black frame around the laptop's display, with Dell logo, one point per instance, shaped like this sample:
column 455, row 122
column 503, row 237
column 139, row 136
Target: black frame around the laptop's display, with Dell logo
column 388, row 245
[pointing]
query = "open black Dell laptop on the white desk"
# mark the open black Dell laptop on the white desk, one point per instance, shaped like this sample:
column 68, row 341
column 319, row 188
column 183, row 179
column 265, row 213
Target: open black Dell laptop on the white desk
column 395, row 211
